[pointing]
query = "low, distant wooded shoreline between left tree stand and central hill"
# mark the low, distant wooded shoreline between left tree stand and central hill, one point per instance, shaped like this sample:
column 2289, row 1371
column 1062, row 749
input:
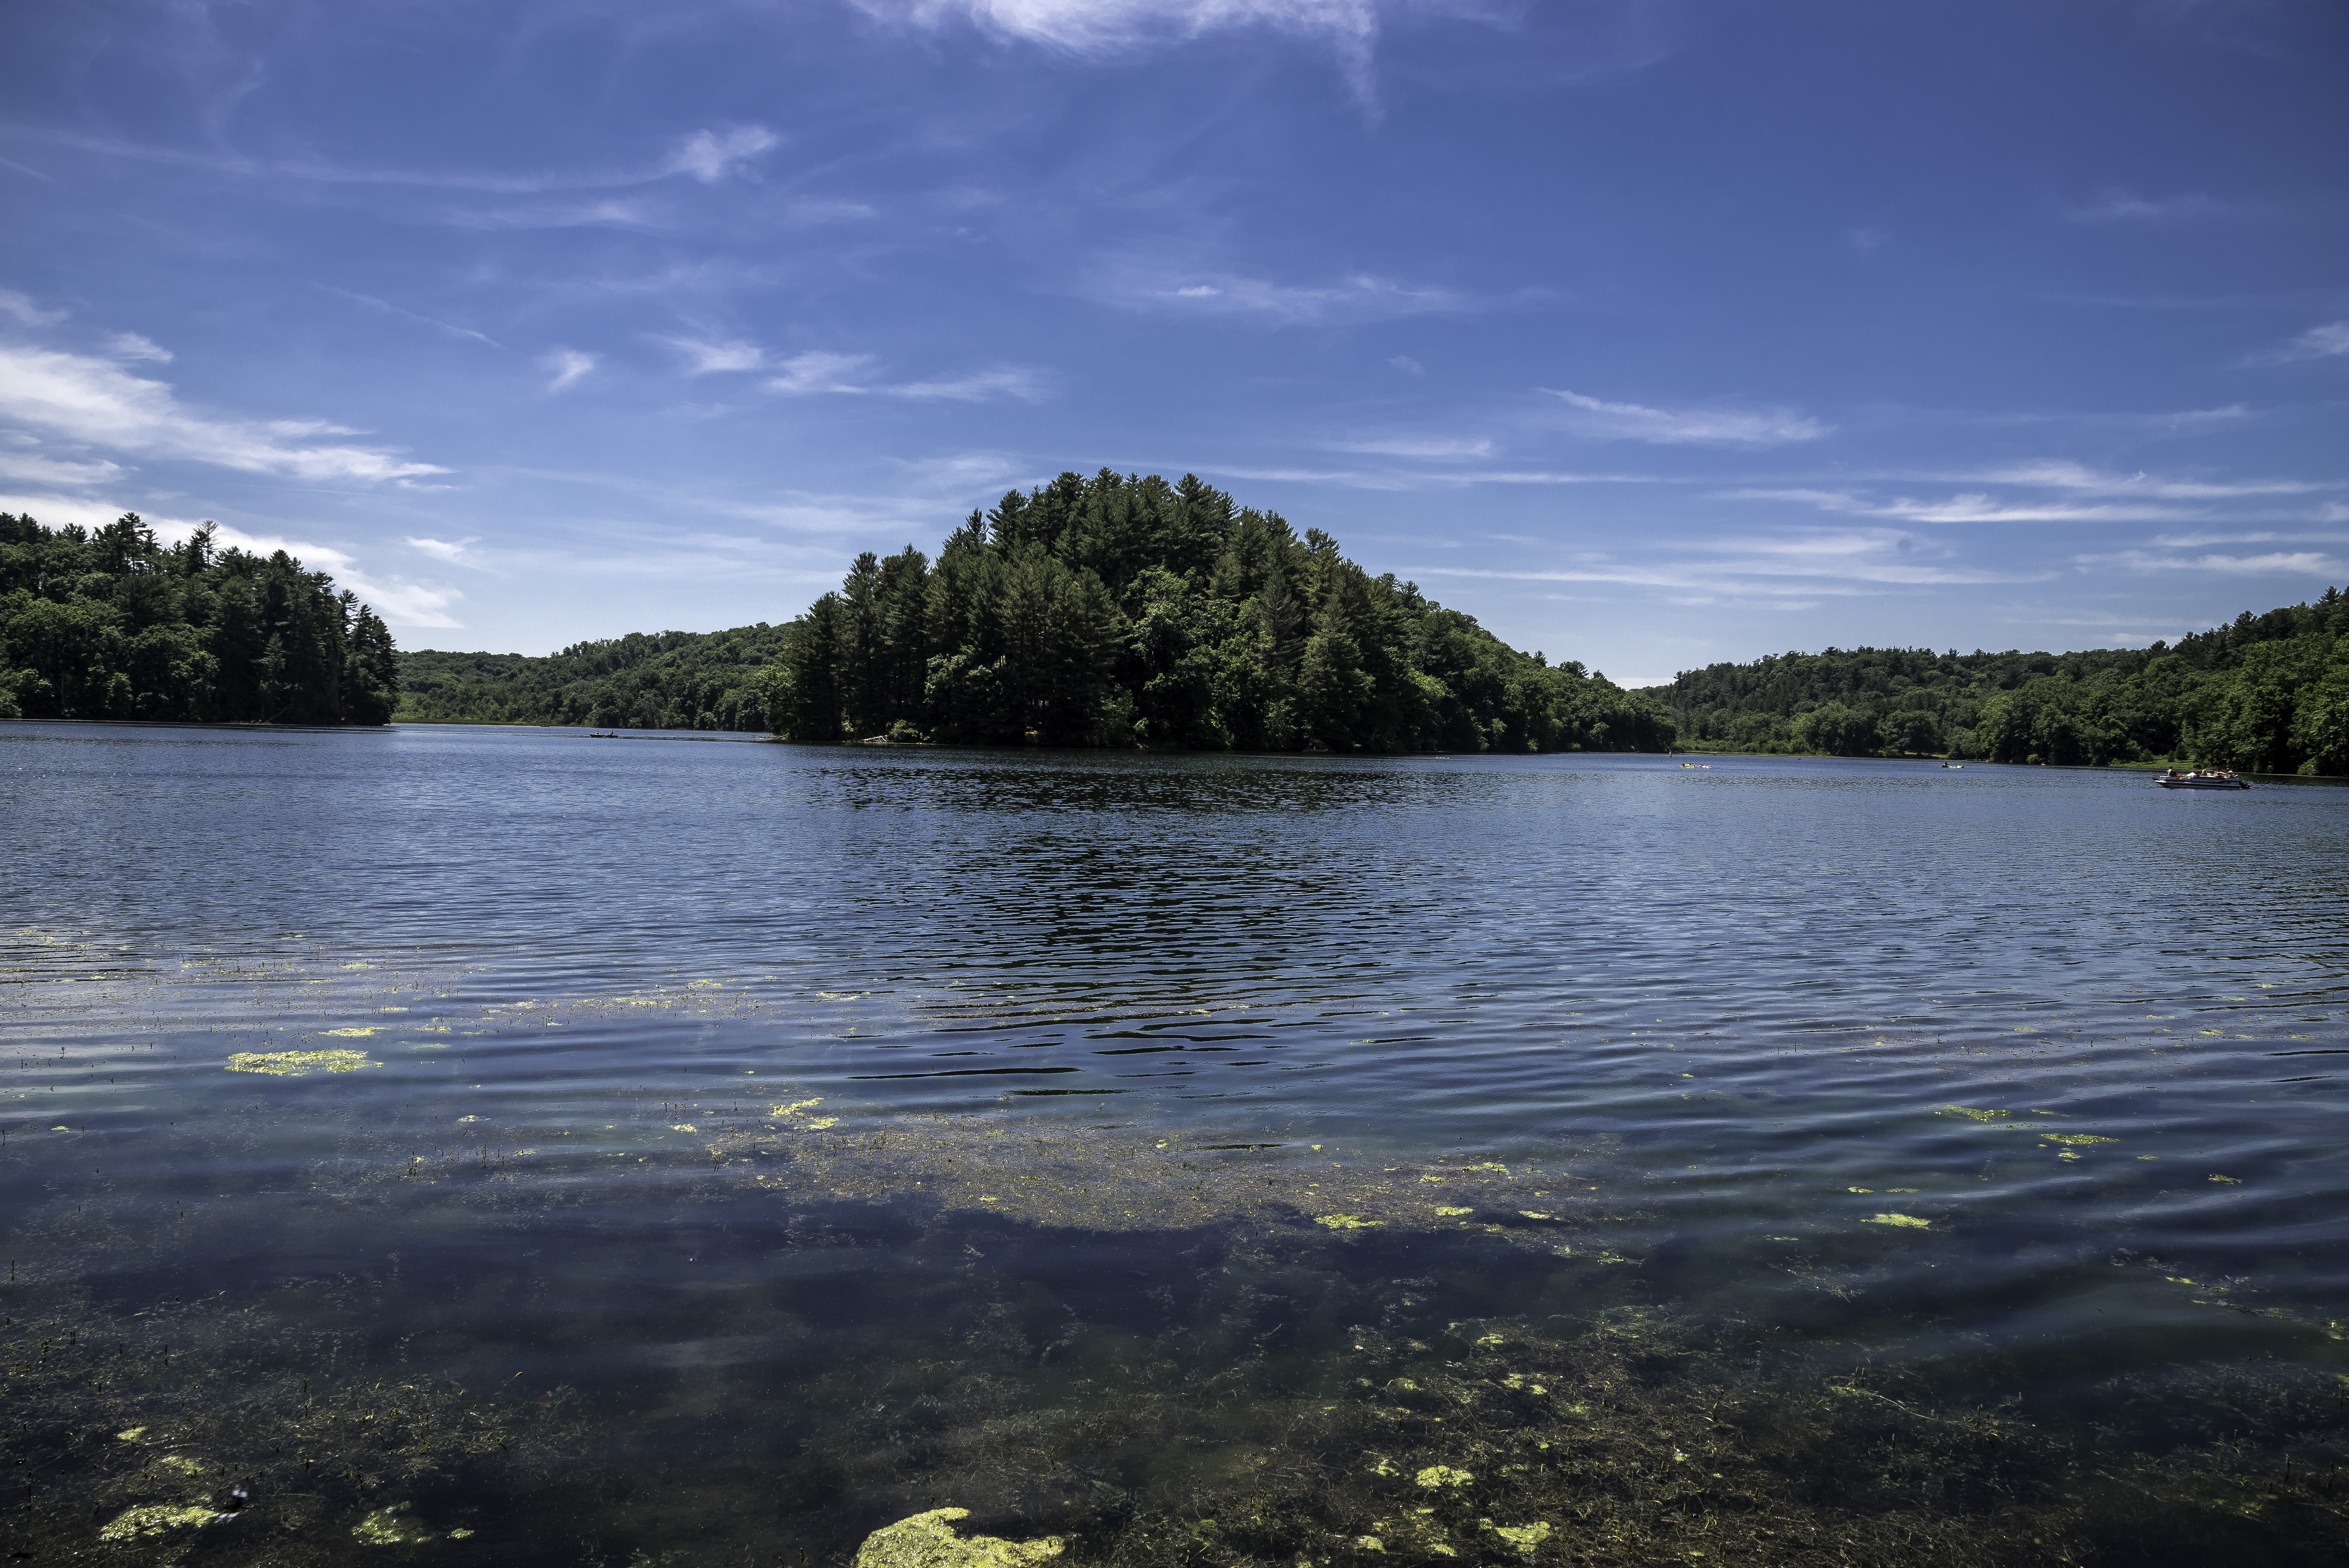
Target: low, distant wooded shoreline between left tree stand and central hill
column 642, row 682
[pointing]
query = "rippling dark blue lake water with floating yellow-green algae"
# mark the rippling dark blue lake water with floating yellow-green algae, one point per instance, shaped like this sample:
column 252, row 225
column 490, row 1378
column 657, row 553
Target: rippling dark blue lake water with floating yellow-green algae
column 1197, row 1158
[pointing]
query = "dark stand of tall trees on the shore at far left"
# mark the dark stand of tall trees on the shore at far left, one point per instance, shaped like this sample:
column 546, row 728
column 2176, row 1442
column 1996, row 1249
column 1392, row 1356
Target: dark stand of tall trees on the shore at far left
column 119, row 626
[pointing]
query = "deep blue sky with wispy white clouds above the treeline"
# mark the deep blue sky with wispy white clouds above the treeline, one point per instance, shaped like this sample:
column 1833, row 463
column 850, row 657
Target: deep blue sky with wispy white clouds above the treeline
column 1648, row 332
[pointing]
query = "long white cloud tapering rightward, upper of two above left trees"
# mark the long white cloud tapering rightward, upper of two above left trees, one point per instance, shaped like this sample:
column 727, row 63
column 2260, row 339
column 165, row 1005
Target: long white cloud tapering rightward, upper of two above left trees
column 97, row 403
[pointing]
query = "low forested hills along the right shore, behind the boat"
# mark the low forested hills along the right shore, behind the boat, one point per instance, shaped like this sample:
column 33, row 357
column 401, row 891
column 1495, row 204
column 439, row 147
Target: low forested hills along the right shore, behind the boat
column 2266, row 694
